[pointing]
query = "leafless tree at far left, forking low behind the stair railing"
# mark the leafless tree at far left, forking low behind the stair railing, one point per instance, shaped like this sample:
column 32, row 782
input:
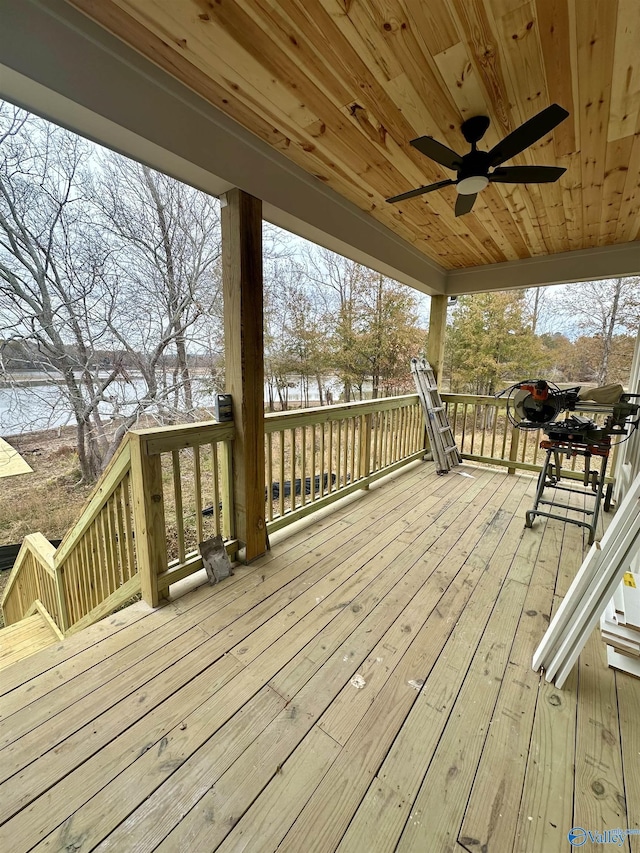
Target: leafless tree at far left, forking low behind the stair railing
column 53, row 268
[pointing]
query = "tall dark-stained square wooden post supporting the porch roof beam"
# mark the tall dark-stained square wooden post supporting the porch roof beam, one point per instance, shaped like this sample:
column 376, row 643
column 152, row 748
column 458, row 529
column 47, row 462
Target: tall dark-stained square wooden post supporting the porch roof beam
column 244, row 364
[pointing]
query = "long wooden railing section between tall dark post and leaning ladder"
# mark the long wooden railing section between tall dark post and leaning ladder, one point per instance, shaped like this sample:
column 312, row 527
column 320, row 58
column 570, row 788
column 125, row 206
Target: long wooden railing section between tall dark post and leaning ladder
column 315, row 456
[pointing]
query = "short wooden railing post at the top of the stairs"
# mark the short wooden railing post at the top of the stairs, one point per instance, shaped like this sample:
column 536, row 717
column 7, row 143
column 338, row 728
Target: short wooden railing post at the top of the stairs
column 148, row 518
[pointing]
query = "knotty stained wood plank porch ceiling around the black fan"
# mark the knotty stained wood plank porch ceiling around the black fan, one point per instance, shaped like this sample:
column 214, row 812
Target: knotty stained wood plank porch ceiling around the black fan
column 341, row 86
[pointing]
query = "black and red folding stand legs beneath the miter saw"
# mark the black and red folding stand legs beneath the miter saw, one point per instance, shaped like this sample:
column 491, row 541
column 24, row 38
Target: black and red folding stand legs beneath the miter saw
column 552, row 472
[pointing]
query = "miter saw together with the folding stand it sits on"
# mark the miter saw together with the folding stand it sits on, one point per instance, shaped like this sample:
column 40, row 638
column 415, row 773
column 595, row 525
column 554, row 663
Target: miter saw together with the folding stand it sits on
column 536, row 405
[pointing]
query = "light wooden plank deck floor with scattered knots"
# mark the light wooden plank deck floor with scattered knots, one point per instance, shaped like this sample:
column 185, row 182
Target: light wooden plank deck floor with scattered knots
column 365, row 687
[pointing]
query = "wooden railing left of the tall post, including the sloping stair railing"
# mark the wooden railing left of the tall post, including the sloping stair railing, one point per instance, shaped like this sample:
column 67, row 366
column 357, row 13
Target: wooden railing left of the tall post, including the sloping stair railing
column 138, row 532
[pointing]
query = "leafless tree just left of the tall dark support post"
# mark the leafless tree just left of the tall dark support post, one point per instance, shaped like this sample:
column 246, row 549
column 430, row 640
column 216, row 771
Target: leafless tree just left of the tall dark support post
column 169, row 240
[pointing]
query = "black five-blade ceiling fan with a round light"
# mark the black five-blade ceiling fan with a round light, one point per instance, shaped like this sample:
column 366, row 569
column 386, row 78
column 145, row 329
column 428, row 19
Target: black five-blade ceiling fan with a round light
column 477, row 169
